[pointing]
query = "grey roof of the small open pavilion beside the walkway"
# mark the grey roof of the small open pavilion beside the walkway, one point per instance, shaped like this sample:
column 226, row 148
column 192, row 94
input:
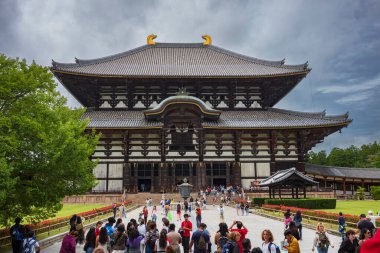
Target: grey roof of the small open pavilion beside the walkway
column 288, row 177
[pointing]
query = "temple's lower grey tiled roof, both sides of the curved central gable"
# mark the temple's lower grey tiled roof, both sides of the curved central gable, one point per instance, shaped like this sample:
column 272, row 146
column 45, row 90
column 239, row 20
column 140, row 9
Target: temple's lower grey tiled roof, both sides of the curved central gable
column 270, row 118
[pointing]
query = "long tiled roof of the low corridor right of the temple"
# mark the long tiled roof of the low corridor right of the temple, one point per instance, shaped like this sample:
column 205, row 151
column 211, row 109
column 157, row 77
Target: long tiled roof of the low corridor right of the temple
column 332, row 171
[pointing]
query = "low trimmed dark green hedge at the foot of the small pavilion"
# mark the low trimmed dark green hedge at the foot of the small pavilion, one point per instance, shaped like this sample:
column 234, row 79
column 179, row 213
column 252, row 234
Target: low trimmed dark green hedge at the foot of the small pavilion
column 304, row 203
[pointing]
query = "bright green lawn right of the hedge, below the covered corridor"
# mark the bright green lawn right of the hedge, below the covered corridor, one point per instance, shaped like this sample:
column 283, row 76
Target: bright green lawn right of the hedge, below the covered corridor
column 355, row 207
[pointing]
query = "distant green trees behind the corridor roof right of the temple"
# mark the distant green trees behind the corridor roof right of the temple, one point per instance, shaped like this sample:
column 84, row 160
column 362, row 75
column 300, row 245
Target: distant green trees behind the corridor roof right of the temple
column 367, row 156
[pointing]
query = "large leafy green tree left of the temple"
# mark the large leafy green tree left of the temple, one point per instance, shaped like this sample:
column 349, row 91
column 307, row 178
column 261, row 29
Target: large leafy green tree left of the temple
column 44, row 151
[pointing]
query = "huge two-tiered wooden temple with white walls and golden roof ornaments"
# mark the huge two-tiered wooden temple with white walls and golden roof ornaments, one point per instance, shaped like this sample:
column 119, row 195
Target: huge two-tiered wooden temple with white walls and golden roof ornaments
column 168, row 111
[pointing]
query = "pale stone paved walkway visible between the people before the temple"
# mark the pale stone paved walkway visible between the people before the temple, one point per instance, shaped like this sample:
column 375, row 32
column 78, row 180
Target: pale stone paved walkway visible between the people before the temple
column 254, row 223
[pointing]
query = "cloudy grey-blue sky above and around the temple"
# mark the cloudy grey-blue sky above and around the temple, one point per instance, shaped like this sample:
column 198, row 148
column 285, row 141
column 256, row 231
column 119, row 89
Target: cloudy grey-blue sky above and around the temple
column 340, row 39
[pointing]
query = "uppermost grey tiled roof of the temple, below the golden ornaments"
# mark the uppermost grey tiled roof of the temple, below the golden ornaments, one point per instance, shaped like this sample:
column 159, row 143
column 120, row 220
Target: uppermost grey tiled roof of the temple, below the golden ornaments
column 179, row 60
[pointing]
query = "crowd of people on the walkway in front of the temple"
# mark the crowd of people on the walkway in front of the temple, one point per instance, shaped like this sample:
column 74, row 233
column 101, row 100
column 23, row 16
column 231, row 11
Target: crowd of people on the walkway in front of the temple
column 141, row 234
